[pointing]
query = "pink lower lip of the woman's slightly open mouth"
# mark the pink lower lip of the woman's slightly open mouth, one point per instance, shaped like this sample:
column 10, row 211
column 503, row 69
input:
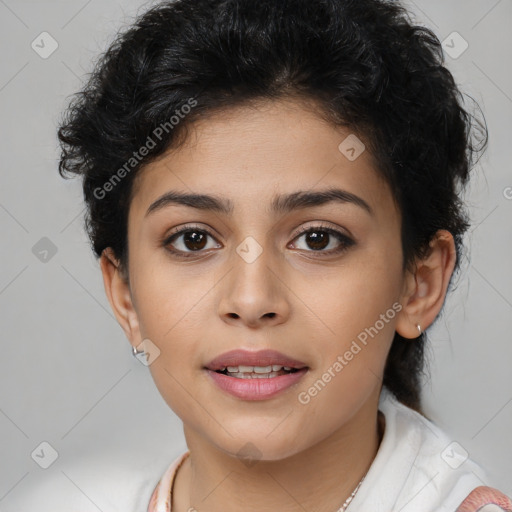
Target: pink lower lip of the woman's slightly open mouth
column 256, row 389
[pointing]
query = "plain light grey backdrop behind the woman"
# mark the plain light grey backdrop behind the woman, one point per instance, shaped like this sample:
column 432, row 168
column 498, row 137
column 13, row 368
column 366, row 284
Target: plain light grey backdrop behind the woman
column 66, row 370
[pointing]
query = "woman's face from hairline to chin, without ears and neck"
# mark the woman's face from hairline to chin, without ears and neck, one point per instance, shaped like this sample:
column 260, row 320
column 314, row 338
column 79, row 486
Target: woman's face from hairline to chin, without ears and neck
column 319, row 281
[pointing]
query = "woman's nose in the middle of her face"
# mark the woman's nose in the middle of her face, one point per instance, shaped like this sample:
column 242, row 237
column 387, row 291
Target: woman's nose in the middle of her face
column 254, row 294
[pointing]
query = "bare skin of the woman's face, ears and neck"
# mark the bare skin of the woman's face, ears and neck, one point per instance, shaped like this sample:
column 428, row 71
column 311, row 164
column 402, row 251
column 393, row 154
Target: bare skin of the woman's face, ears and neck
column 310, row 456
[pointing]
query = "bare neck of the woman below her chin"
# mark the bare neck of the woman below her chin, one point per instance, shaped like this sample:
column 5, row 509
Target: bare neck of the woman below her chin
column 317, row 479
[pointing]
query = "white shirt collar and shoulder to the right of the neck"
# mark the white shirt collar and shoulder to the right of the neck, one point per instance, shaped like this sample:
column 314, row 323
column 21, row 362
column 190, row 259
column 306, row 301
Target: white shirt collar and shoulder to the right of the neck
column 417, row 467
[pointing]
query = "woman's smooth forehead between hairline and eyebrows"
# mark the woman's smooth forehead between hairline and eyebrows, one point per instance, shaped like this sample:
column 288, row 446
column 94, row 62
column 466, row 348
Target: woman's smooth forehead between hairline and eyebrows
column 250, row 154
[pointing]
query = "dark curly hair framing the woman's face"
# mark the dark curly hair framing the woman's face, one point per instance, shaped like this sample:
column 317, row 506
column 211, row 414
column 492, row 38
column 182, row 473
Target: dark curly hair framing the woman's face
column 363, row 63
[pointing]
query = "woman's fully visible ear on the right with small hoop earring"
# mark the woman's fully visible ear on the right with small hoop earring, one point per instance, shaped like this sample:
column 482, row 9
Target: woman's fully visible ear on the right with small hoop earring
column 425, row 288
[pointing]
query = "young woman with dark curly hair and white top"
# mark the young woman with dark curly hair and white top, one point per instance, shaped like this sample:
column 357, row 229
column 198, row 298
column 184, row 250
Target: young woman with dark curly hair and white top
column 273, row 190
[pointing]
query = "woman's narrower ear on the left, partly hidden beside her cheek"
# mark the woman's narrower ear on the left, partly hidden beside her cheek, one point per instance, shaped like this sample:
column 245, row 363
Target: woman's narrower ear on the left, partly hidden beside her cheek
column 119, row 296
